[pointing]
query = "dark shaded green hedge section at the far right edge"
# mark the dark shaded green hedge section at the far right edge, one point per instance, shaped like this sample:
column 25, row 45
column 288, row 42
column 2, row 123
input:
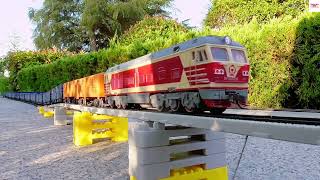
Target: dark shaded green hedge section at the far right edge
column 306, row 62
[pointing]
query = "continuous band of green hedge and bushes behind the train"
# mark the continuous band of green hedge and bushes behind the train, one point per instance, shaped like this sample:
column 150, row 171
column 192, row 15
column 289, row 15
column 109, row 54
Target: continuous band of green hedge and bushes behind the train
column 282, row 41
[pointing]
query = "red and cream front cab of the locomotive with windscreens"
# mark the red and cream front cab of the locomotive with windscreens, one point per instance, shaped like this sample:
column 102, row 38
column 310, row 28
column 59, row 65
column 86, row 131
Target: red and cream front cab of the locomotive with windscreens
column 222, row 75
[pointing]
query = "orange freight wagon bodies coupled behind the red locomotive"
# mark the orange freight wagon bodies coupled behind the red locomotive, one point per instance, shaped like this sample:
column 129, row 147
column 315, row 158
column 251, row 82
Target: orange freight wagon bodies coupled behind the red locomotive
column 87, row 87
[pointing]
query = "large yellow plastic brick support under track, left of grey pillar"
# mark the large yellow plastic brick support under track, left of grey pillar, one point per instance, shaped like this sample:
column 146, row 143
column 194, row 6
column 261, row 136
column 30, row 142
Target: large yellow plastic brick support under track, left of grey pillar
column 87, row 127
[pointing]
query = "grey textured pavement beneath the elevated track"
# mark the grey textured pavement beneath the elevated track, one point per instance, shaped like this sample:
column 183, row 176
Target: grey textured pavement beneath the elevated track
column 32, row 148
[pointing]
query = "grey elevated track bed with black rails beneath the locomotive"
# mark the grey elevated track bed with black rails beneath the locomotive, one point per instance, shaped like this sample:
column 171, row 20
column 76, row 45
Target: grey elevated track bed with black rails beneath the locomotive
column 300, row 127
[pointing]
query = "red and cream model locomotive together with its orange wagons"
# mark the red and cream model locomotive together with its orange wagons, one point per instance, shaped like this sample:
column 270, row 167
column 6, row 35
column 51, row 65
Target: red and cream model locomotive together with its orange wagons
column 205, row 73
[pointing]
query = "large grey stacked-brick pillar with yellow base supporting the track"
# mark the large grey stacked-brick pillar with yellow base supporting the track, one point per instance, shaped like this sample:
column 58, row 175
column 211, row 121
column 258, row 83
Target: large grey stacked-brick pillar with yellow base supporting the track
column 174, row 152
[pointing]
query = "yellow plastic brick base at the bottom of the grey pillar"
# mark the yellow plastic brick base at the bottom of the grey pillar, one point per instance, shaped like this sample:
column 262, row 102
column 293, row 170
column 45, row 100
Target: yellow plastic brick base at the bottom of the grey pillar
column 196, row 173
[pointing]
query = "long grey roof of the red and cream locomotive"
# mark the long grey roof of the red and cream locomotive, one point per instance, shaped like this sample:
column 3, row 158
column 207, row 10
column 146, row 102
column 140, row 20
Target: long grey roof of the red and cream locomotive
column 196, row 42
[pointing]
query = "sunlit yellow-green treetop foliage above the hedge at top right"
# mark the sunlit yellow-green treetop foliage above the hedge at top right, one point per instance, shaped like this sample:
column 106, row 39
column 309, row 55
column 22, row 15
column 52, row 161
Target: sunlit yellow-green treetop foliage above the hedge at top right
column 224, row 12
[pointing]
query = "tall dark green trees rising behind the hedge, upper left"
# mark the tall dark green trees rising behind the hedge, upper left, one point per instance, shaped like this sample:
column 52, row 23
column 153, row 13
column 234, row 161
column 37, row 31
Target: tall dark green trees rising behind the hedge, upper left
column 88, row 24
